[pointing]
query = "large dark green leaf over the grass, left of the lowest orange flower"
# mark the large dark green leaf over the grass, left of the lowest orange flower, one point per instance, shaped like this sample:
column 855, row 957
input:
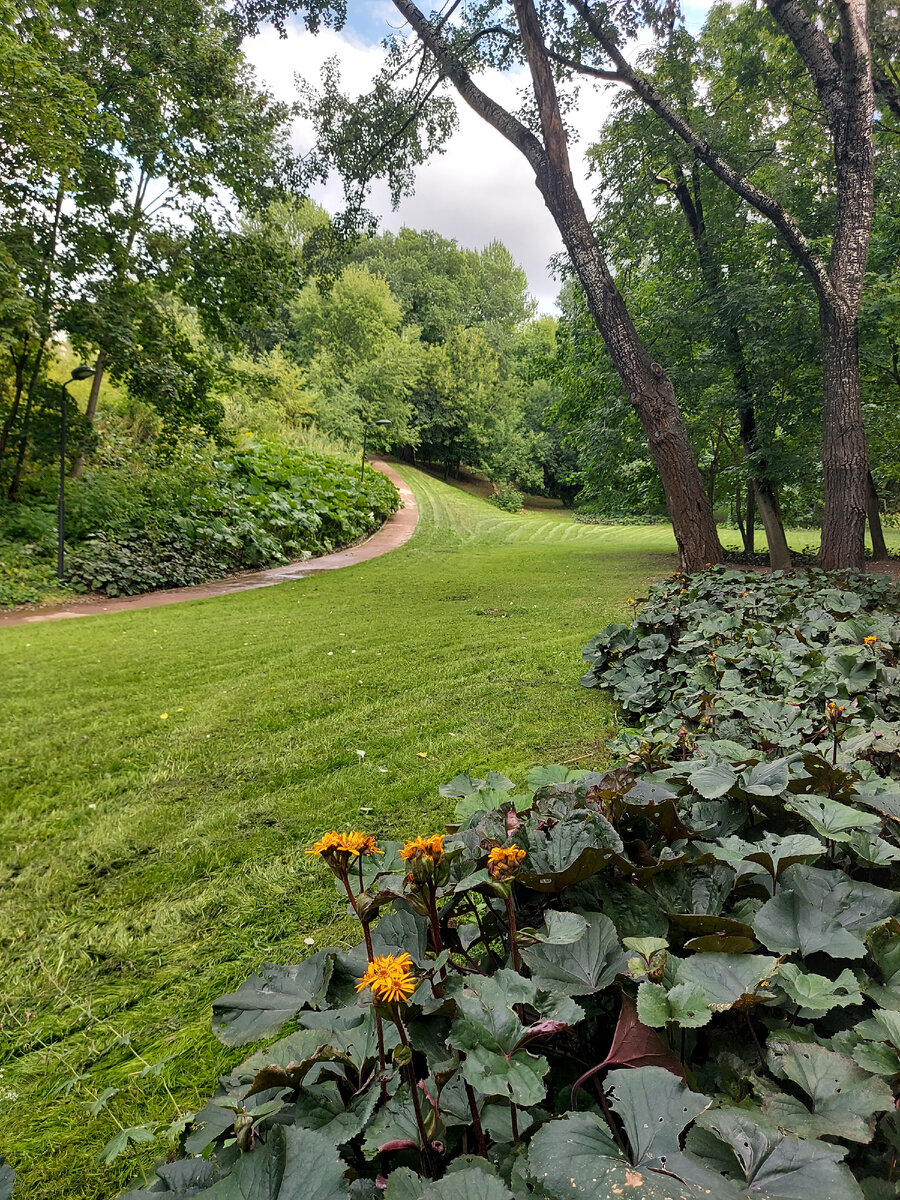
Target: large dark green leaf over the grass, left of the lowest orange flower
column 271, row 999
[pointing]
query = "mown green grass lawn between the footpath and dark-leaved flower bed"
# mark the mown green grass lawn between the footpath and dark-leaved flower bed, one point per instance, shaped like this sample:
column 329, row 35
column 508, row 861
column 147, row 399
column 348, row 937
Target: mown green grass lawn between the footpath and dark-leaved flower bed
column 149, row 862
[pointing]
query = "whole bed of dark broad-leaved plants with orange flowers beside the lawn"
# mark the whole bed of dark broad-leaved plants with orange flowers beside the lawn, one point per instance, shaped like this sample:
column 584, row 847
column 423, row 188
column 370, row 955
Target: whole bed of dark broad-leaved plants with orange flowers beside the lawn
column 676, row 979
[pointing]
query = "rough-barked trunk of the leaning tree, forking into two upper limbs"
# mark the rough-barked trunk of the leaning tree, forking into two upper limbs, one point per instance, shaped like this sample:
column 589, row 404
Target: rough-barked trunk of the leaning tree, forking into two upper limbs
column 649, row 388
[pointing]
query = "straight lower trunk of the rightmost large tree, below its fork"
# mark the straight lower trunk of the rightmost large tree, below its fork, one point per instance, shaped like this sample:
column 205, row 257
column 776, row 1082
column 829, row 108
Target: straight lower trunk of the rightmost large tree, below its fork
column 845, row 460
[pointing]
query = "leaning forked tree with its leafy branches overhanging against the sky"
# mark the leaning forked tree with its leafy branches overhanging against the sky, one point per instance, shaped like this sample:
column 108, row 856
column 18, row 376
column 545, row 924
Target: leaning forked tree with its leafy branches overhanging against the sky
column 400, row 121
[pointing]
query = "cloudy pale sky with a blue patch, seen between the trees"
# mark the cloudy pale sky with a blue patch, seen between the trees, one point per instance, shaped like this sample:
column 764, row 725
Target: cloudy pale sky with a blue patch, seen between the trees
column 481, row 189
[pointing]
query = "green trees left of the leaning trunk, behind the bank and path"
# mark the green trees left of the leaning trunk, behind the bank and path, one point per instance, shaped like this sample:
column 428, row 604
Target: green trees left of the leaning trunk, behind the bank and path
column 149, row 219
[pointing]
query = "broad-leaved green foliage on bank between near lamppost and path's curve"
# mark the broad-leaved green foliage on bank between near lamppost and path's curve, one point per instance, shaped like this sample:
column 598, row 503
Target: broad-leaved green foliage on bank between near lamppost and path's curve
column 262, row 505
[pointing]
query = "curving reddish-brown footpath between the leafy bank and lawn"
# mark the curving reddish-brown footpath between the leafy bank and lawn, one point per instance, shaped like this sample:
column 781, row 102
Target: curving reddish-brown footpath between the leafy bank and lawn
column 394, row 533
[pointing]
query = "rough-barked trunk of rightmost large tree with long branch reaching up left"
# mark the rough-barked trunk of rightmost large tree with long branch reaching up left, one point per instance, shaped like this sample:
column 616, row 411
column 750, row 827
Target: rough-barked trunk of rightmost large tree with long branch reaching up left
column 843, row 77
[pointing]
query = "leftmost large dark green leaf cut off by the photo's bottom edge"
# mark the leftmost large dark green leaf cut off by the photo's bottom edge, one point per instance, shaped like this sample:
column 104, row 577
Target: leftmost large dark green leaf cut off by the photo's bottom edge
column 295, row 1162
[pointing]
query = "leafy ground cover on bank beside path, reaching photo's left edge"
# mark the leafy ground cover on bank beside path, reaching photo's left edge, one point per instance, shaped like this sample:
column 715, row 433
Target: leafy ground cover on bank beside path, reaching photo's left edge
column 136, row 527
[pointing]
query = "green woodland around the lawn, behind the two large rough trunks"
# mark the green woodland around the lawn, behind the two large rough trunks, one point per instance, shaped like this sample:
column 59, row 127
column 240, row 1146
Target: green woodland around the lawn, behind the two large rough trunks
column 154, row 224
